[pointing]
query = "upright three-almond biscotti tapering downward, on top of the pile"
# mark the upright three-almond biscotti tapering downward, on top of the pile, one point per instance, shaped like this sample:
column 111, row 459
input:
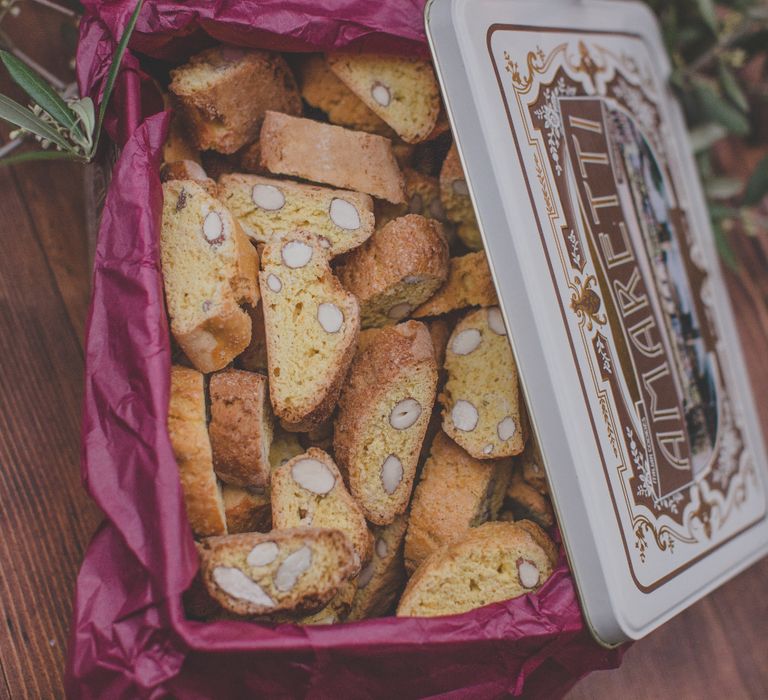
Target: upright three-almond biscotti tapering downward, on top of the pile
column 312, row 325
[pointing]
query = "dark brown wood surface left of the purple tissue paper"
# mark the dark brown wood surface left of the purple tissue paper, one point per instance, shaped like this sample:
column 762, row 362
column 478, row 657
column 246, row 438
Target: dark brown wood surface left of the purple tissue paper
column 46, row 518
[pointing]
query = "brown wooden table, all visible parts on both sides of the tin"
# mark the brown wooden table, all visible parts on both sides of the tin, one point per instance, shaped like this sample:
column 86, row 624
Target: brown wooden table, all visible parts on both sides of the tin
column 719, row 647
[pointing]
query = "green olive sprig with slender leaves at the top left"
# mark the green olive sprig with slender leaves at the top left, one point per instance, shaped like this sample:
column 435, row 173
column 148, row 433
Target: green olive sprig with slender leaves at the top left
column 66, row 128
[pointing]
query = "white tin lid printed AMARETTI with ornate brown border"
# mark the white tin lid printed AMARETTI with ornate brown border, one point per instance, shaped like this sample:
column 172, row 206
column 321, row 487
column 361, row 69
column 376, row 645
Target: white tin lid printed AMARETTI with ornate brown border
column 597, row 234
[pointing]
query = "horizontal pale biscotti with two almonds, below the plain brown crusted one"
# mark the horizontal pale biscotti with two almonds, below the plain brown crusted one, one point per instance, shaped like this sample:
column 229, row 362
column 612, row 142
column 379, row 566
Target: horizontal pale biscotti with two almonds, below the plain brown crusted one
column 265, row 207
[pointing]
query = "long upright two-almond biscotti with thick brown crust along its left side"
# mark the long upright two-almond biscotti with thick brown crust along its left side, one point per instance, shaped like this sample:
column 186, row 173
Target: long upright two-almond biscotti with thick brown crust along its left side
column 383, row 414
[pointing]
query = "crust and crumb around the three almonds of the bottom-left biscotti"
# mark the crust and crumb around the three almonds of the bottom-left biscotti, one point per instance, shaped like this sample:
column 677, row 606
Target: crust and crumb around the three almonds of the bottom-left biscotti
column 330, row 566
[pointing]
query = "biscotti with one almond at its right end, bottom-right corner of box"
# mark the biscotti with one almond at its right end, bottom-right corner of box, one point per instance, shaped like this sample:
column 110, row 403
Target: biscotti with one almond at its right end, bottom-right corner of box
column 493, row 562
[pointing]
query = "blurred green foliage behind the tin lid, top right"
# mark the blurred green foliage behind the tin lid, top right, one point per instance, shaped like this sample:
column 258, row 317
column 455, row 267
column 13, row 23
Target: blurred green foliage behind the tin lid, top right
column 719, row 51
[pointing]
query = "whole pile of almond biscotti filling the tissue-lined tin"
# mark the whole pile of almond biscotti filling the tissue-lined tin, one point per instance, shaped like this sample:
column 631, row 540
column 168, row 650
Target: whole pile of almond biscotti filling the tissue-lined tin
column 345, row 408
